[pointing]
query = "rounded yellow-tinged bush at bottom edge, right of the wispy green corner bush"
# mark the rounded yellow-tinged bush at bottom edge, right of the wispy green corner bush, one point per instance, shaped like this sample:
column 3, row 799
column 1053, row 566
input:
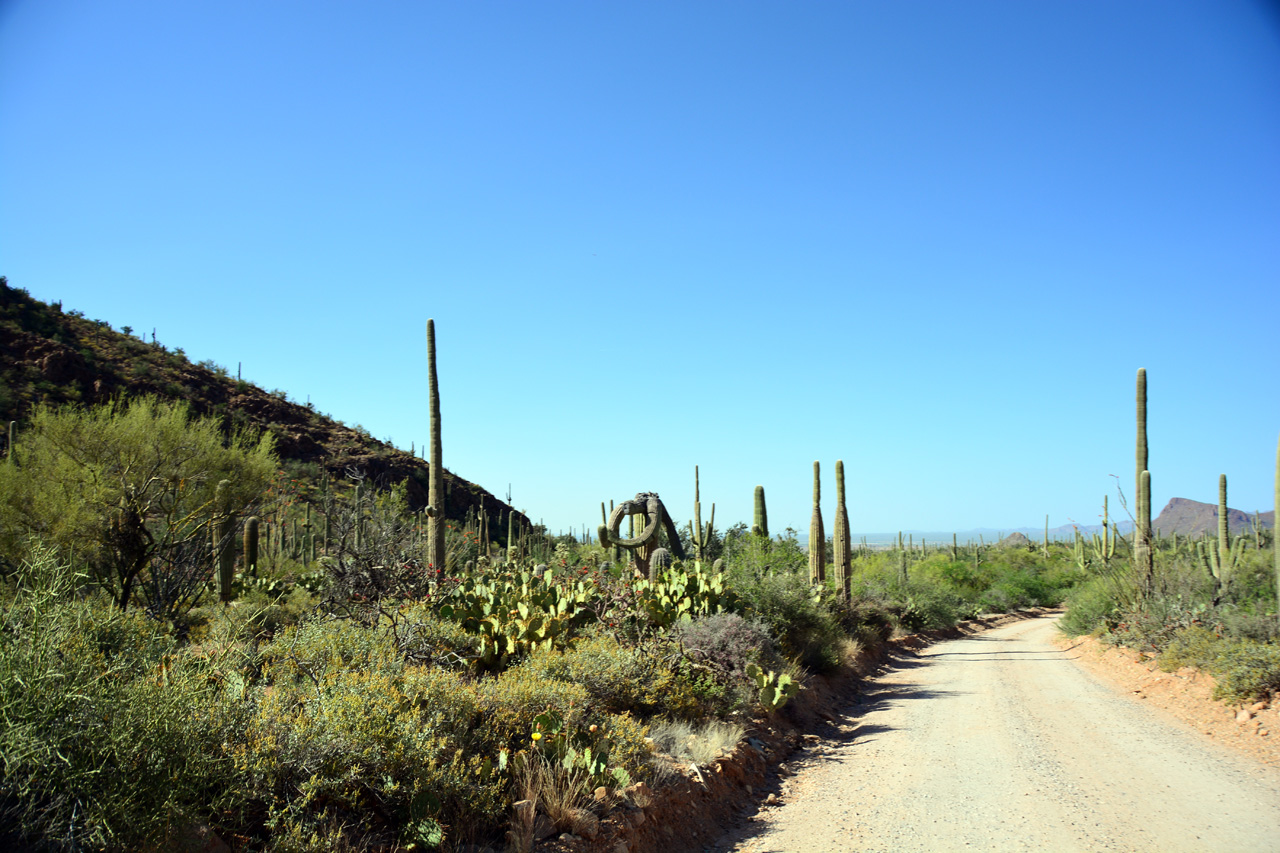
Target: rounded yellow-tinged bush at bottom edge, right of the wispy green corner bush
column 348, row 755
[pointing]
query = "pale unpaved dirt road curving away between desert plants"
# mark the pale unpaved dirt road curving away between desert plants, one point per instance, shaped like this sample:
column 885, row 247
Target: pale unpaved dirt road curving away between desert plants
column 1000, row 742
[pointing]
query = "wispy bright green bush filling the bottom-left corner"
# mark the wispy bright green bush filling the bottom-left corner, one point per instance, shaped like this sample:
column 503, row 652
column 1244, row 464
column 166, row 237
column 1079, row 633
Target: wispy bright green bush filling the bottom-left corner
column 108, row 737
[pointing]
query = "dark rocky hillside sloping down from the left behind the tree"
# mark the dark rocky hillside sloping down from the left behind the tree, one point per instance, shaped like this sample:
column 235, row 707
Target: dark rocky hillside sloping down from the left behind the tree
column 58, row 357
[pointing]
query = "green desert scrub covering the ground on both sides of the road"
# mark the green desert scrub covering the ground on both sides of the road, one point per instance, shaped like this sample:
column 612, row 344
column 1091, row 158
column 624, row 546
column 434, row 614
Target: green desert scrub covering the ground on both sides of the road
column 199, row 633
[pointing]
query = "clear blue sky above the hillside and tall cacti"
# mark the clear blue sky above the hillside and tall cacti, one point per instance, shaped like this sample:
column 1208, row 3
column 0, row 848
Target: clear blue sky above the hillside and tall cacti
column 934, row 240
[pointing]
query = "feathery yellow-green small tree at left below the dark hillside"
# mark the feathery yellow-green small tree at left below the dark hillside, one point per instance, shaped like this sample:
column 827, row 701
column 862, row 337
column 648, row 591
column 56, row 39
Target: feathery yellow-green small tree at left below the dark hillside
column 127, row 490
